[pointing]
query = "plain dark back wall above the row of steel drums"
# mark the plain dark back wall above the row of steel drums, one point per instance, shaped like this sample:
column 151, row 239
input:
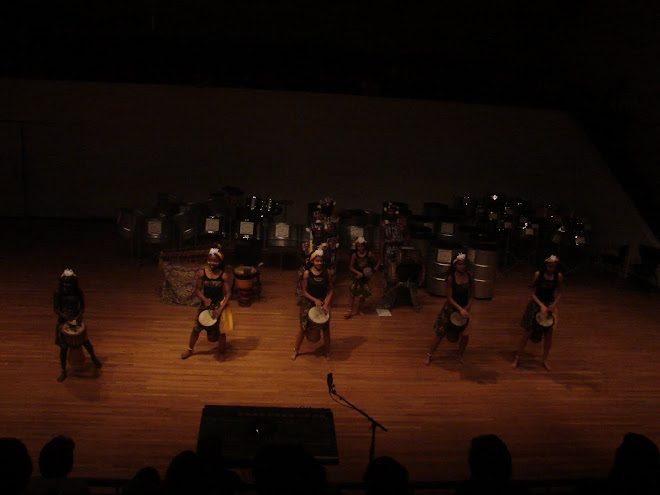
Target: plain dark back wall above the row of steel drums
column 83, row 149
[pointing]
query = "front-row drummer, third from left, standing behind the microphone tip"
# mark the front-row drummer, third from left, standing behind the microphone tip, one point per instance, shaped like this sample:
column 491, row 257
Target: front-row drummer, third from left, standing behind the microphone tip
column 317, row 289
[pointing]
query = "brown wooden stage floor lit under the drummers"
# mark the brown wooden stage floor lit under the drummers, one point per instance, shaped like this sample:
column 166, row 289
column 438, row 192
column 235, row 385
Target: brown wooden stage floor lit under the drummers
column 144, row 405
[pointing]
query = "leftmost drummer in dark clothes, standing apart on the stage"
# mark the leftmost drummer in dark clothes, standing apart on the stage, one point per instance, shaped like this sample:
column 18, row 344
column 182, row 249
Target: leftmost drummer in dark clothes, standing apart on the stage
column 69, row 306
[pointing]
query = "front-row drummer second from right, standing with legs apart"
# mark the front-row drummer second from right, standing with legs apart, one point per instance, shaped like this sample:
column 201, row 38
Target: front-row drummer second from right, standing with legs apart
column 460, row 295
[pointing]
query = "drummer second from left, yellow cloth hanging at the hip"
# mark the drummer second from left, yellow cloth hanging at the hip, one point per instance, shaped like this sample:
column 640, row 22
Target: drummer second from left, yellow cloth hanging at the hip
column 213, row 291
